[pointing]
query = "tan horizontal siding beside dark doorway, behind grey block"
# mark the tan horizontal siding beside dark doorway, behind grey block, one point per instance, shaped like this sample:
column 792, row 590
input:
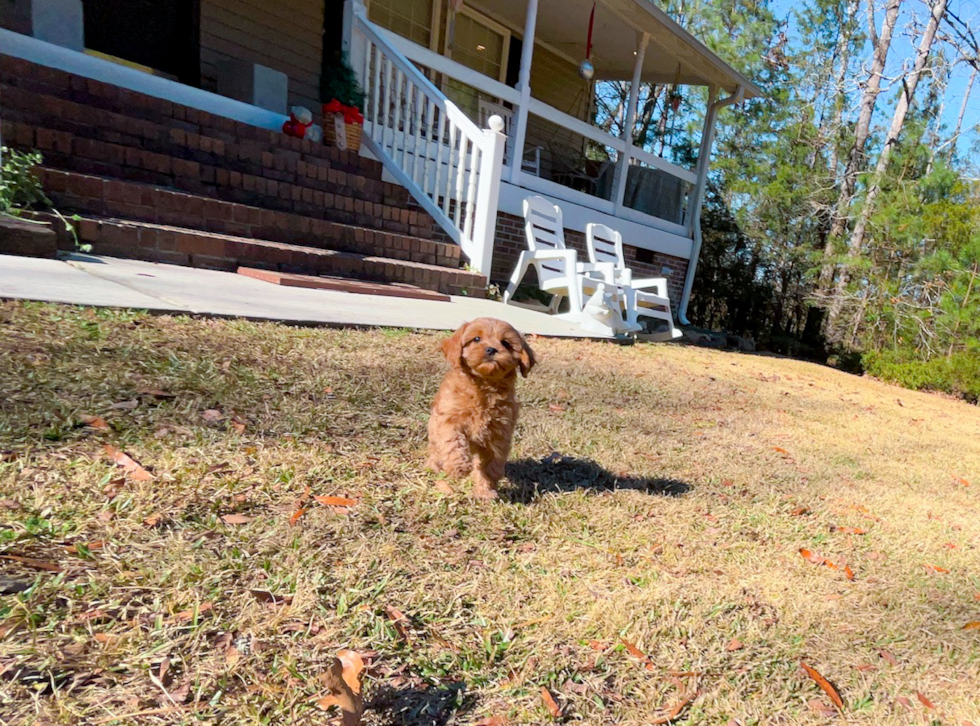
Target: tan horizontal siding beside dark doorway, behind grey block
column 285, row 35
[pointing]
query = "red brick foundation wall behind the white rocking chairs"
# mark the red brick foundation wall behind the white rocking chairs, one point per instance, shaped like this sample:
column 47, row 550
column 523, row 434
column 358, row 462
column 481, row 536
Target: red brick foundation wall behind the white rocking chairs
column 510, row 242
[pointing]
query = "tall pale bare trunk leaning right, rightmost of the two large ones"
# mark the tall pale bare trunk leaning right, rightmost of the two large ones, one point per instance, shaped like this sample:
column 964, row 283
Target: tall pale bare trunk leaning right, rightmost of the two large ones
column 898, row 121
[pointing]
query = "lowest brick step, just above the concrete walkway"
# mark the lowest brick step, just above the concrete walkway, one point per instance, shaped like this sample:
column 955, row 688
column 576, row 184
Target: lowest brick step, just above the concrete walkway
column 194, row 248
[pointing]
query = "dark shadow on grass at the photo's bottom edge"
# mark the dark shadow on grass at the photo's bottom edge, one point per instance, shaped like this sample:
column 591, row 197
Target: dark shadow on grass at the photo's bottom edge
column 418, row 705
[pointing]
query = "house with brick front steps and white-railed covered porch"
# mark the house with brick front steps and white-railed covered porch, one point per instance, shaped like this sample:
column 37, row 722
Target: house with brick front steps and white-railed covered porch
column 159, row 120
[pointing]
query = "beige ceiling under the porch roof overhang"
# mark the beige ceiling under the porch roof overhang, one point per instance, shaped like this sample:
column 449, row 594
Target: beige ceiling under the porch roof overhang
column 564, row 25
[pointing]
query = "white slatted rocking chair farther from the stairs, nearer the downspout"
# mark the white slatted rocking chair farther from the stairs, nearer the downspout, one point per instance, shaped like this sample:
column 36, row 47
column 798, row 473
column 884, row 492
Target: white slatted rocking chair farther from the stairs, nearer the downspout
column 643, row 296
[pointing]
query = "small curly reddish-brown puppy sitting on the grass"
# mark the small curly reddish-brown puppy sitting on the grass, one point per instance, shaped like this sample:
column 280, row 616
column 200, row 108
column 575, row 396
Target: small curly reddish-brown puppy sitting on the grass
column 473, row 416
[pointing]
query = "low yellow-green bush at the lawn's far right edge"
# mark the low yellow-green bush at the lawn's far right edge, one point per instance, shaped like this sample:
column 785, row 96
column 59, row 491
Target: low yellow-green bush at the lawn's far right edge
column 958, row 374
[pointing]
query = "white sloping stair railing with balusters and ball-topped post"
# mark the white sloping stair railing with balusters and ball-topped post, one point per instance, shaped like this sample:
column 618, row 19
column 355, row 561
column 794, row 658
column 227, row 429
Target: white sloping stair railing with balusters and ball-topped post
column 450, row 165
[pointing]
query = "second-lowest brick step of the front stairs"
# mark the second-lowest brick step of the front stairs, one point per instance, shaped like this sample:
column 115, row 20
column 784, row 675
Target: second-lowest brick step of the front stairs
column 102, row 197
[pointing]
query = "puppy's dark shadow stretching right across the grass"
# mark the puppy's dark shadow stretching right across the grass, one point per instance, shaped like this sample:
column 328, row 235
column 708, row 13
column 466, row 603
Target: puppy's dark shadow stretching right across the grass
column 531, row 478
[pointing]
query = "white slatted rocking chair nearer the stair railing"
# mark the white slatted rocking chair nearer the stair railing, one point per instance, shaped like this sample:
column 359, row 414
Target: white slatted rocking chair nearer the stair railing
column 594, row 299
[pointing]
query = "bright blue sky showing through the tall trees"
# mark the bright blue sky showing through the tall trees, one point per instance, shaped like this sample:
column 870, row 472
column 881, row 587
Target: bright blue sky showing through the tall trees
column 903, row 49
